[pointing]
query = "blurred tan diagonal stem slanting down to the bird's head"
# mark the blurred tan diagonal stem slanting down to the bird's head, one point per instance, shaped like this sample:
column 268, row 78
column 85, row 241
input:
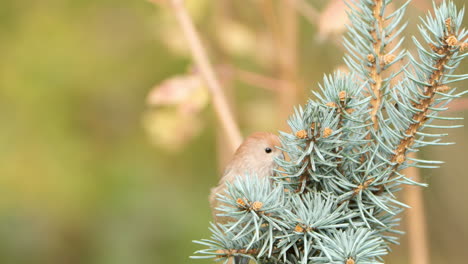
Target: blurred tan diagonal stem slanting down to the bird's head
column 222, row 110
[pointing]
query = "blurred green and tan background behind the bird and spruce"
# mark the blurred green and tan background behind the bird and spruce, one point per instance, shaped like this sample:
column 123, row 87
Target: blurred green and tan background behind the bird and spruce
column 90, row 172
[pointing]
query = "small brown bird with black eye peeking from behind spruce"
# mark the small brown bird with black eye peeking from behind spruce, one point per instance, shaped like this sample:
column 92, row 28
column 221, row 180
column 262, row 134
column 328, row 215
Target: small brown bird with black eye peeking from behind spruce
column 255, row 156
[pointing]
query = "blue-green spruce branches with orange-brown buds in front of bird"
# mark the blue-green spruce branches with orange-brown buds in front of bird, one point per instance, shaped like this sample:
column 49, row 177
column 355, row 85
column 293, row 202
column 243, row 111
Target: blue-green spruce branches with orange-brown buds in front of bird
column 333, row 196
